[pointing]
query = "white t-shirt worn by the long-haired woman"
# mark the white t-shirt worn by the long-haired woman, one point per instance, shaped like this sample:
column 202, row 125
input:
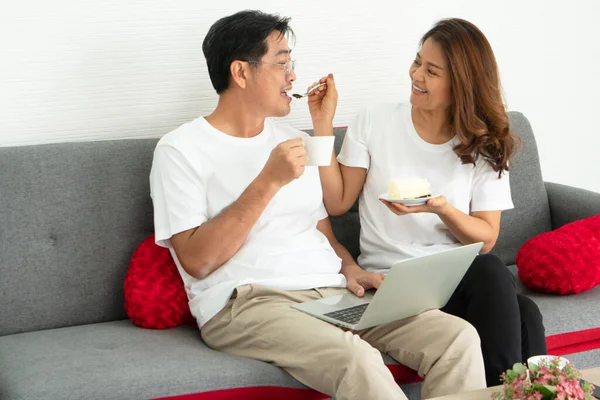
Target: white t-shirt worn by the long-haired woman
column 383, row 140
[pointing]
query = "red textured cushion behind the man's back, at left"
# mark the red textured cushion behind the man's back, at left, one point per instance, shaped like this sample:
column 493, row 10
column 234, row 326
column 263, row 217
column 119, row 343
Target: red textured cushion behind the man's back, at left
column 154, row 294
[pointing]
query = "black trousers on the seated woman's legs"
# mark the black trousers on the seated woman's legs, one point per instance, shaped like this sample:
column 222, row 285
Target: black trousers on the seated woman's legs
column 509, row 324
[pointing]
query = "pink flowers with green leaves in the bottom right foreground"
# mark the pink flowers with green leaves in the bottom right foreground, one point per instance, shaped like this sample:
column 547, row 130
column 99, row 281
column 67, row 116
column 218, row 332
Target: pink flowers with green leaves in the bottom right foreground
column 546, row 378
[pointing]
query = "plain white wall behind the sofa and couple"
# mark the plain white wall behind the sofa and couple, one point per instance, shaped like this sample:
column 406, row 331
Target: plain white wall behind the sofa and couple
column 88, row 70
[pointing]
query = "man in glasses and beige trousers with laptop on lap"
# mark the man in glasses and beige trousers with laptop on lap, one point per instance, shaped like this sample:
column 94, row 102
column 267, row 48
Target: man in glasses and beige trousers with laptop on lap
column 244, row 219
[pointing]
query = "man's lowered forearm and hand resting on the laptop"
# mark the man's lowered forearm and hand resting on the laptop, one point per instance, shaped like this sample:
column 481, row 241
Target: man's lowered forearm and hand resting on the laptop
column 358, row 279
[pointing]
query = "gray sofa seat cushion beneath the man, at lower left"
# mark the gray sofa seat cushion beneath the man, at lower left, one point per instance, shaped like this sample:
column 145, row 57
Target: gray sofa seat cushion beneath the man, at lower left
column 118, row 360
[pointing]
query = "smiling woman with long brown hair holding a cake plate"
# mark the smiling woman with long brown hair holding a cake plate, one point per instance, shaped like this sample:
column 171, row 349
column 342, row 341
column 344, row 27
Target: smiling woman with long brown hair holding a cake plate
column 455, row 133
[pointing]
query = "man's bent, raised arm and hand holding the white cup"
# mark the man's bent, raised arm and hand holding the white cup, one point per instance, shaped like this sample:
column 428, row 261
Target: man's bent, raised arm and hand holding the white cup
column 203, row 249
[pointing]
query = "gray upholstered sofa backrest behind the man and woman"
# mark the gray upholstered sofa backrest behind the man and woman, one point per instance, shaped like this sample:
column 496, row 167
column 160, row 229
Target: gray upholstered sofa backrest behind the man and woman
column 72, row 214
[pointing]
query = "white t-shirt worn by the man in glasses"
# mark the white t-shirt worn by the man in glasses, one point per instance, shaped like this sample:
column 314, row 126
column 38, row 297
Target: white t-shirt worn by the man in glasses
column 197, row 171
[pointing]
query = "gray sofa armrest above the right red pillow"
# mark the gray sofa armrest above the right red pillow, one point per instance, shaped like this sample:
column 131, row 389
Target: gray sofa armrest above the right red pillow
column 568, row 204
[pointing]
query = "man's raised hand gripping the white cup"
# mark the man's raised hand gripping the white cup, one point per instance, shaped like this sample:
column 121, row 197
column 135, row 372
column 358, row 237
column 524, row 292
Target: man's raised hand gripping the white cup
column 286, row 162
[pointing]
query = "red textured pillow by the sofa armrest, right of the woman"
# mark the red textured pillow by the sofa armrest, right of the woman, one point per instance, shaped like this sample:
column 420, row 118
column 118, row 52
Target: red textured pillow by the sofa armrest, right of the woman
column 563, row 261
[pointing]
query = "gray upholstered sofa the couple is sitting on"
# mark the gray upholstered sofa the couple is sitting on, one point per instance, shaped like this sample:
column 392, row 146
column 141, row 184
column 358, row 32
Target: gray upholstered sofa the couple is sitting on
column 71, row 216
